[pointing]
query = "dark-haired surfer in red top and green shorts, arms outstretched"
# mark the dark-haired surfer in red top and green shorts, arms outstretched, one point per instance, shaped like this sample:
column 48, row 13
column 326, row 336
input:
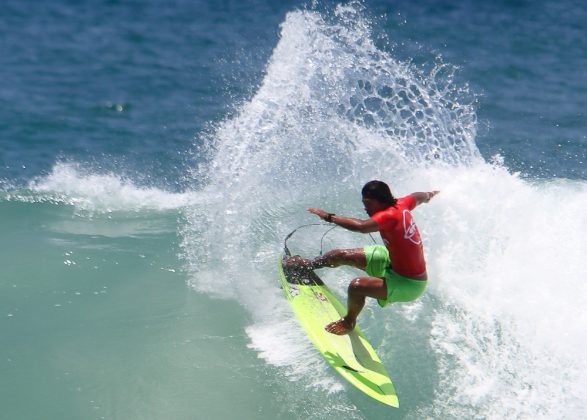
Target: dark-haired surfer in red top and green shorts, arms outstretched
column 396, row 270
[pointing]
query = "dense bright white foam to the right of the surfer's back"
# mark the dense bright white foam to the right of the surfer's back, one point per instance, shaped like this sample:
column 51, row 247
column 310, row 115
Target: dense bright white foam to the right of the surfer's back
column 507, row 264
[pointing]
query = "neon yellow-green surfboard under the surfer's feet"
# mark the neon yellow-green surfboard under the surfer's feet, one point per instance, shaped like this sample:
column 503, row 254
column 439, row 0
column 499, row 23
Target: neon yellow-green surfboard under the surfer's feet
column 350, row 355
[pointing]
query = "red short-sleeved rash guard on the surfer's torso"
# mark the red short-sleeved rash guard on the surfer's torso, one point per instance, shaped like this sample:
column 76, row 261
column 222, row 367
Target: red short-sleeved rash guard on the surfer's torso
column 402, row 238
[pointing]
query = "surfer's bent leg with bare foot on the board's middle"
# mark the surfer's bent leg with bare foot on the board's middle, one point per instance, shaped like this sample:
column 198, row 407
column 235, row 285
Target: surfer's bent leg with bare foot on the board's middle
column 359, row 289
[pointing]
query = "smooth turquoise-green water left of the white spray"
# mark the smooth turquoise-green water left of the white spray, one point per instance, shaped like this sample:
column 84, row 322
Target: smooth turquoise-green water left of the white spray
column 106, row 328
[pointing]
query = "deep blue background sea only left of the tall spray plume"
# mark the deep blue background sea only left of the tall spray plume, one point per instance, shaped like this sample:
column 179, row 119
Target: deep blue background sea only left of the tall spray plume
column 172, row 69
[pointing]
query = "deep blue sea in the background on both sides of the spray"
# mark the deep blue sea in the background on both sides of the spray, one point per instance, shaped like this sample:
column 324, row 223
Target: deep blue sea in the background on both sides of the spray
column 175, row 68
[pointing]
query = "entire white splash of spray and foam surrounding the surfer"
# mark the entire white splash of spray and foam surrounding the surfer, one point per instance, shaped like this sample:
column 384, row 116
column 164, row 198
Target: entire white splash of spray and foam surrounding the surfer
column 499, row 332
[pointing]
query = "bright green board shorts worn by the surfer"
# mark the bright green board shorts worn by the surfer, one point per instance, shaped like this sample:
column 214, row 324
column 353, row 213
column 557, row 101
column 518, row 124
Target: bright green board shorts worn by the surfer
column 399, row 288
